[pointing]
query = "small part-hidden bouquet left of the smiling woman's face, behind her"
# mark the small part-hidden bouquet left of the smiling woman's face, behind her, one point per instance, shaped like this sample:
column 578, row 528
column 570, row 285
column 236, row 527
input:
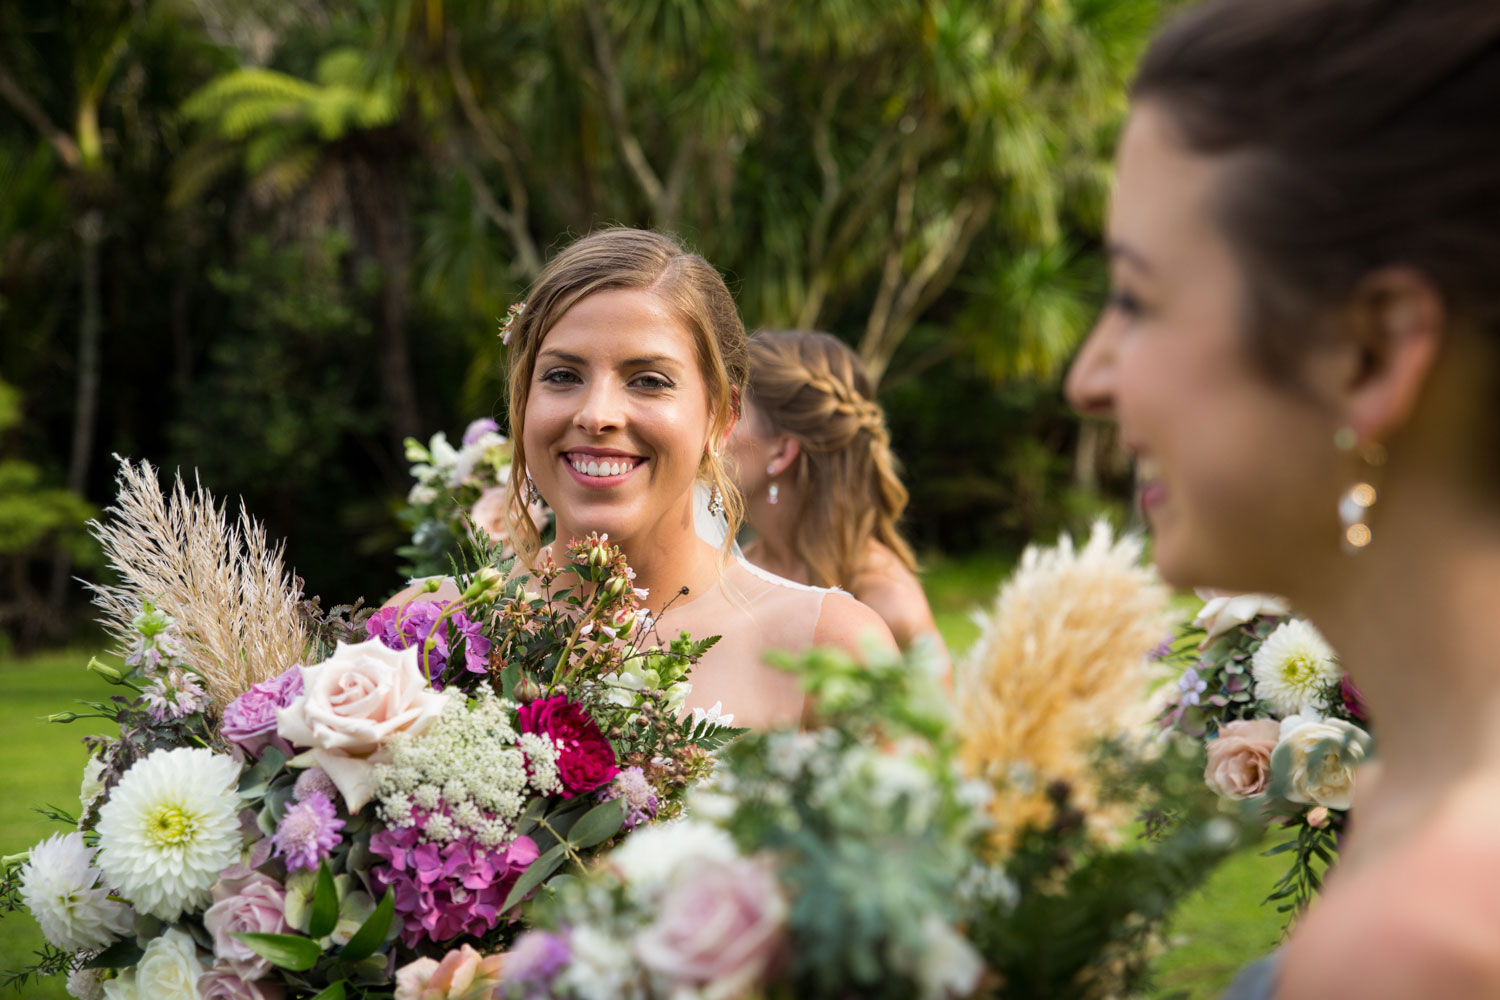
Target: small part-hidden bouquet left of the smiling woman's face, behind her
column 454, row 490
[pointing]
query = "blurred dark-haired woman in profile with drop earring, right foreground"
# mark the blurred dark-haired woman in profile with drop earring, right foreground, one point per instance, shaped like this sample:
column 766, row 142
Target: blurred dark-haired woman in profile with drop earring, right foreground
column 1303, row 352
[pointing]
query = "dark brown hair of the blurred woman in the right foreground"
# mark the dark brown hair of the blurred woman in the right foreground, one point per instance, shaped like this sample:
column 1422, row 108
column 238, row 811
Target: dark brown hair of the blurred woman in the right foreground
column 1355, row 134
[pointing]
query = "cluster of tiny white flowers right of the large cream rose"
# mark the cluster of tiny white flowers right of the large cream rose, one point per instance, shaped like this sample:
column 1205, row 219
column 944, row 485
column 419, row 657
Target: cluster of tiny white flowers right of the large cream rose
column 473, row 762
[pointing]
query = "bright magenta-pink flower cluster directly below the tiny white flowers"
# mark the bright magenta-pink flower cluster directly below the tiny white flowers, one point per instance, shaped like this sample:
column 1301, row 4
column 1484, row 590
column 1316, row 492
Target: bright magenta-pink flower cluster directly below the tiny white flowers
column 446, row 890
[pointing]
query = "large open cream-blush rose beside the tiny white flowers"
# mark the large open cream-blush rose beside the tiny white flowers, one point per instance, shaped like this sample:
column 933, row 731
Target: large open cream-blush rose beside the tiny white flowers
column 352, row 705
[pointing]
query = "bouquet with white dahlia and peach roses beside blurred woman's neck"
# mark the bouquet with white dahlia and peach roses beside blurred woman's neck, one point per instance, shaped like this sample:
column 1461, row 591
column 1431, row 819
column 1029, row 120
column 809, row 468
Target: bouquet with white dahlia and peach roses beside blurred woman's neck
column 1282, row 725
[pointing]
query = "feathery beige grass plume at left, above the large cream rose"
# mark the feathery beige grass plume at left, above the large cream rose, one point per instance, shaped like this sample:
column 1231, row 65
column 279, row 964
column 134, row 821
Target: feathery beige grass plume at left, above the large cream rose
column 235, row 603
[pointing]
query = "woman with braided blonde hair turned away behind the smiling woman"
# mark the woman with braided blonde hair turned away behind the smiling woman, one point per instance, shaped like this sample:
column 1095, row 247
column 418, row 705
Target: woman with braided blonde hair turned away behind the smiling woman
column 814, row 463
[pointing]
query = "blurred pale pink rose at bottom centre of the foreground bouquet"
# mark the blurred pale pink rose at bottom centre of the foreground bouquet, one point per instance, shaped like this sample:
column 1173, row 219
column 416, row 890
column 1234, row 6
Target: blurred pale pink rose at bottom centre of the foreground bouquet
column 719, row 929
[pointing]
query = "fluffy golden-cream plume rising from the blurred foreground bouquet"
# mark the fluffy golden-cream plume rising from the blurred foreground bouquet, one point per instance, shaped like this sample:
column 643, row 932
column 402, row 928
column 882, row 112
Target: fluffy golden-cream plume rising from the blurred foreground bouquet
column 1060, row 666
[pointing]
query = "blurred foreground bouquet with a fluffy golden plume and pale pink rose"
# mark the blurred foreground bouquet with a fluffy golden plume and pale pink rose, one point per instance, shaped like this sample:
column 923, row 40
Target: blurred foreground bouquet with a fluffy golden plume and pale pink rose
column 901, row 848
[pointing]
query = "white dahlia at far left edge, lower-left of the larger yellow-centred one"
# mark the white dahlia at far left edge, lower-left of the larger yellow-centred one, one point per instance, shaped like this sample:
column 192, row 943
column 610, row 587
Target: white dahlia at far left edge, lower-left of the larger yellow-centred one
column 62, row 890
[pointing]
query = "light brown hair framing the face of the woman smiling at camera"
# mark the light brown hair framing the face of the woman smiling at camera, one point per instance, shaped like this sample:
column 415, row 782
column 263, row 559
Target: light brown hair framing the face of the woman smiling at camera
column 692, row 290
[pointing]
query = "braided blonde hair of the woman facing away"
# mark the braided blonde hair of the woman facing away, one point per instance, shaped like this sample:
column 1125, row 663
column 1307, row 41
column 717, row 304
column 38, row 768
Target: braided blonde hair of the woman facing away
column 814, row 388
